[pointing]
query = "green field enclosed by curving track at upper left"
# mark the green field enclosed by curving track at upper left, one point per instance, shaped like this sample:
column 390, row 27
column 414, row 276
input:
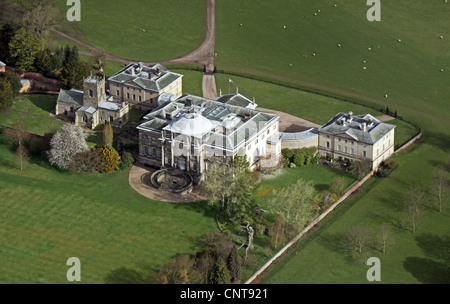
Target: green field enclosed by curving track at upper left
column 139, row 29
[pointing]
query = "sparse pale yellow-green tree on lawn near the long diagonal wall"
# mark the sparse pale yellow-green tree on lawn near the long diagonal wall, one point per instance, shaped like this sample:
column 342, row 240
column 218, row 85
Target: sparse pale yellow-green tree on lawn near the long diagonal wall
column 295, row 203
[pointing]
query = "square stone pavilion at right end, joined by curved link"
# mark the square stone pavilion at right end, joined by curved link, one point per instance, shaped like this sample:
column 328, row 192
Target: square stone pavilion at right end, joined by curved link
column 357, row 137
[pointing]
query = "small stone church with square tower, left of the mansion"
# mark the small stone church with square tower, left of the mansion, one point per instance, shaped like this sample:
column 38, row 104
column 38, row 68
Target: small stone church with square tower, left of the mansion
column 92, row 106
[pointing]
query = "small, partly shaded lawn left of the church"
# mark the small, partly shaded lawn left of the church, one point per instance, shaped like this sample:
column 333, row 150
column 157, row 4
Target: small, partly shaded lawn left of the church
column 34, row 112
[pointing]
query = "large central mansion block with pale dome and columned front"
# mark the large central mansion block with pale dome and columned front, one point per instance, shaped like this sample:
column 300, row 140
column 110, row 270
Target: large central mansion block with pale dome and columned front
column 189, row 133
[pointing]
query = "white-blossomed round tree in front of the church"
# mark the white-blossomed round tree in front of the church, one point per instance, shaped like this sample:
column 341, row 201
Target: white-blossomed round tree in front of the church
column 65, row 144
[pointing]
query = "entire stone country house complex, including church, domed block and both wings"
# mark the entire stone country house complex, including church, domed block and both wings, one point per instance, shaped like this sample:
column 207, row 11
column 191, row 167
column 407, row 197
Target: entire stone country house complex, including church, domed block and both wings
column 187, row 132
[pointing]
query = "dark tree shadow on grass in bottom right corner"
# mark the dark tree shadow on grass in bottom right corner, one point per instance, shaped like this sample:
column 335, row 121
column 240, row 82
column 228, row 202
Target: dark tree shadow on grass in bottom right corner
column 427, row 271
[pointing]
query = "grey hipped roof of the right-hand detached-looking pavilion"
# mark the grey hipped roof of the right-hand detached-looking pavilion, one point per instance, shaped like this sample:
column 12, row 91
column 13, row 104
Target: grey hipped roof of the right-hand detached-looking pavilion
column 353, row 126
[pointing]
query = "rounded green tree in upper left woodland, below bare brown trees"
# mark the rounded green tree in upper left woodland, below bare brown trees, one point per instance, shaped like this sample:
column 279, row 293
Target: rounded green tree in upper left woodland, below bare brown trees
column 24, row 47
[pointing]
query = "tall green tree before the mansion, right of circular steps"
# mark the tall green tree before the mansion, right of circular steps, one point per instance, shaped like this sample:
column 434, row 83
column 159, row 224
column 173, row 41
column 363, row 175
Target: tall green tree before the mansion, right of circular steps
column 230, row 187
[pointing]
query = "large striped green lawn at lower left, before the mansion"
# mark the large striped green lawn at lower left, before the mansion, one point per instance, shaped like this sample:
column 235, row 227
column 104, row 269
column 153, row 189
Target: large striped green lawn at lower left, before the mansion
column 48, row 216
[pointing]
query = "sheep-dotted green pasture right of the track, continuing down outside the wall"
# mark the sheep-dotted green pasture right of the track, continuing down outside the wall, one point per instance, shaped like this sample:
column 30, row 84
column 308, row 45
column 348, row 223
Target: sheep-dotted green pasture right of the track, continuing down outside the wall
column 277, row 41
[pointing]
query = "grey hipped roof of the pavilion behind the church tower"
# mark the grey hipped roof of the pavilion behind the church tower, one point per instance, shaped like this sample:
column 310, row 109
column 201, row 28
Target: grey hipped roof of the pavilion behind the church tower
column 154, row 77
